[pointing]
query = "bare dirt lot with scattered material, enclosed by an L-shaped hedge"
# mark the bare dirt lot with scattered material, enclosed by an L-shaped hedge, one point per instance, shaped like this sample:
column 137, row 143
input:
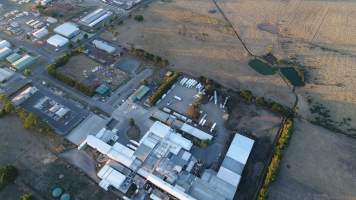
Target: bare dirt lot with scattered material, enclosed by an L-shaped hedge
column 93, row 74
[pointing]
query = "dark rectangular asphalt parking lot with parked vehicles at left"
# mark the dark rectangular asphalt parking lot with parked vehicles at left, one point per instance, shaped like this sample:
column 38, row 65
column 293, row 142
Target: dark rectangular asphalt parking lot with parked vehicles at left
column 41, row 104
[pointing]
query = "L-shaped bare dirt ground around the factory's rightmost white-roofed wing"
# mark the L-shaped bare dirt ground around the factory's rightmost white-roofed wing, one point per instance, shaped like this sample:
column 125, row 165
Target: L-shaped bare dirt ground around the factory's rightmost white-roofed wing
column 263, row 127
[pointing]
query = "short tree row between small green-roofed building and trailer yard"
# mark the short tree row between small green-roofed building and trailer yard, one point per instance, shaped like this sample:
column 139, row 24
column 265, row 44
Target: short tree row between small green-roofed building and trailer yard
column 163, row 88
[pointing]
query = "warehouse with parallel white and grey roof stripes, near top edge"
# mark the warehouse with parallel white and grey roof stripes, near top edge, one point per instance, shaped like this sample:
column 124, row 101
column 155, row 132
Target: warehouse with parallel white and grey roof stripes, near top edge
column 96, row 18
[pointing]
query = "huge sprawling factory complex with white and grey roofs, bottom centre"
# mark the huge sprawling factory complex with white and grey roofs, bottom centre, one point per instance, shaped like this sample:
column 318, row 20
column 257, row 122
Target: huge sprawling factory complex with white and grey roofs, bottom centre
column 162, row 158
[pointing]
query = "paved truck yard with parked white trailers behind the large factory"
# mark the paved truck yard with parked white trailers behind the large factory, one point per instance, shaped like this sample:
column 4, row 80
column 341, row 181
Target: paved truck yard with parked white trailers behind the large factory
column 178, row 98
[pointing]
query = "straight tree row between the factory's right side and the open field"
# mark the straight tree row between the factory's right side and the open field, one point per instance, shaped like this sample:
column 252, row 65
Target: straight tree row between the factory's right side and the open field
column 284, row 136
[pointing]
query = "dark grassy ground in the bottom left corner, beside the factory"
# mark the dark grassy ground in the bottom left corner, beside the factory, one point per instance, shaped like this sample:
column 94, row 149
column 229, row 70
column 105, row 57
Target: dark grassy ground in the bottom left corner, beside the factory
column 39, row 168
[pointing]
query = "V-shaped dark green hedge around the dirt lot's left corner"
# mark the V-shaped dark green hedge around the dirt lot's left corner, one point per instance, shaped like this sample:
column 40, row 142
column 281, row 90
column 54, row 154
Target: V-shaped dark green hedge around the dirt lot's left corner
column 52, row 70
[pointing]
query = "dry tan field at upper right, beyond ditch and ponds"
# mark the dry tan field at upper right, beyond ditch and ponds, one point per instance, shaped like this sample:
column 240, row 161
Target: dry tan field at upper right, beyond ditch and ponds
column 318, row 34
